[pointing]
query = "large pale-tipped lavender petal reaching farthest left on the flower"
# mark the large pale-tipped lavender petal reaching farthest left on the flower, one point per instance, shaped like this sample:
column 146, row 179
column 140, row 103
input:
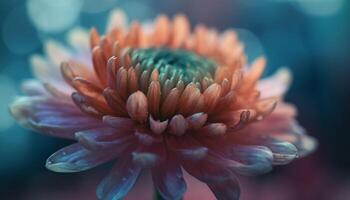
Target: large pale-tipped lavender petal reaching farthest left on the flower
column 50, row 116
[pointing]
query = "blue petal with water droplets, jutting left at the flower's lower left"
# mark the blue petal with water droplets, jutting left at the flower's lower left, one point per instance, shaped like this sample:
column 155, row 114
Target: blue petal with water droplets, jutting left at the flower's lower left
column 76, row 158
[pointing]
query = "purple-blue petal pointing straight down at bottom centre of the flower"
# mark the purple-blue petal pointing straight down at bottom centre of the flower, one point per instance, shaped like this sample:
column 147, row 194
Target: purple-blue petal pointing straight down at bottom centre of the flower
column 169, row 181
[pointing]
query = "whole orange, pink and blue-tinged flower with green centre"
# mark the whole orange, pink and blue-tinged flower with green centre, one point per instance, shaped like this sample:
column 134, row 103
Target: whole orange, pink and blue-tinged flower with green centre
column 164, row 98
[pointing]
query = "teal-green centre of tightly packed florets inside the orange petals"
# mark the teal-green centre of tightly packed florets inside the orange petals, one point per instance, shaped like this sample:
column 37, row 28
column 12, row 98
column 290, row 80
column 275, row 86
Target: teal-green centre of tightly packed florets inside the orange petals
column 179, row 64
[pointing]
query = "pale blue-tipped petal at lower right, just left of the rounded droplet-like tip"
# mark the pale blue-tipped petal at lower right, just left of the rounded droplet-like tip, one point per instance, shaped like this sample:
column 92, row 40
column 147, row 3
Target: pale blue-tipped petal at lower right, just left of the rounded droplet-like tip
column 251, row 160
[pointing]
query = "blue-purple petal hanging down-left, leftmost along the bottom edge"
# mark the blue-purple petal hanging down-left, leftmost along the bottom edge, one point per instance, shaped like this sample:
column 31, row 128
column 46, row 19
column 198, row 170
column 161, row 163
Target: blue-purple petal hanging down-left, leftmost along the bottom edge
column 119, row 182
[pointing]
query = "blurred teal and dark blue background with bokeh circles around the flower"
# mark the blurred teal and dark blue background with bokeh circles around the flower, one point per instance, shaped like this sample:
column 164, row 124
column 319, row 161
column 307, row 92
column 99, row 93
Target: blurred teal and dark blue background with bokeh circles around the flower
column 311, row 37
